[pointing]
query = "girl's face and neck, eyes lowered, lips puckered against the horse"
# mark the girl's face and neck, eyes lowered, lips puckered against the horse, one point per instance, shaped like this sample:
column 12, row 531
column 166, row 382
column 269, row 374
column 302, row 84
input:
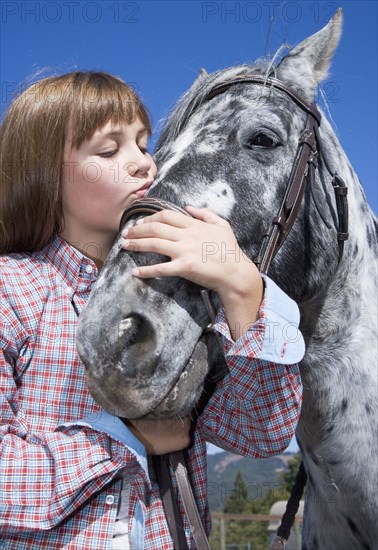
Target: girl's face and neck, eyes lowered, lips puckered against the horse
column 100, row 179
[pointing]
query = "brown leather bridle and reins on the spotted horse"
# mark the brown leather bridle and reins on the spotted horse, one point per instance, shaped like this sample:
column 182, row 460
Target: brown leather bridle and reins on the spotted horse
column 302, row 173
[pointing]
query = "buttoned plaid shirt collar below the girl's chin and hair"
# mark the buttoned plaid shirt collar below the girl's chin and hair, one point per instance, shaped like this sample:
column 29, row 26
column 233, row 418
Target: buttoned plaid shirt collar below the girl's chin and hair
column 69, row 262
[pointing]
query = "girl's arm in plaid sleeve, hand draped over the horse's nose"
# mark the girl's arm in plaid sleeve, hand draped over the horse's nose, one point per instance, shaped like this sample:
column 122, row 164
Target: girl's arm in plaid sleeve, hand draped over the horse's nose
column 255, row 409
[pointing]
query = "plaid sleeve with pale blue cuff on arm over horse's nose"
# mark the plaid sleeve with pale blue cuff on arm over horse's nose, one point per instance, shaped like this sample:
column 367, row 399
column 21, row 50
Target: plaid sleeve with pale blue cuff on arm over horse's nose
column 255, row 408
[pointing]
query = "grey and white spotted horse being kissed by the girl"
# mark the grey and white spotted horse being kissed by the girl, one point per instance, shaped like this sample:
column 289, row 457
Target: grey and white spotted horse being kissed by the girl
column 230, row 144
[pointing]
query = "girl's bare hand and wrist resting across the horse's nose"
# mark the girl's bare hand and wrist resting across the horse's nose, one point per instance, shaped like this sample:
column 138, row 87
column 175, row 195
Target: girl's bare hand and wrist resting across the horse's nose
column 203, row 249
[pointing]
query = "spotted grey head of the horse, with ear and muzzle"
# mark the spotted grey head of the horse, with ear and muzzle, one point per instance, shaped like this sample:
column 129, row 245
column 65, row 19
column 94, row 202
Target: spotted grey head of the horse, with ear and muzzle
column 232, row 152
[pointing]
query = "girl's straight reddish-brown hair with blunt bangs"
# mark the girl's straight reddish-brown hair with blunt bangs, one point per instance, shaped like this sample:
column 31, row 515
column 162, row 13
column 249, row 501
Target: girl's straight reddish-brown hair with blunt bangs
column 32, row 139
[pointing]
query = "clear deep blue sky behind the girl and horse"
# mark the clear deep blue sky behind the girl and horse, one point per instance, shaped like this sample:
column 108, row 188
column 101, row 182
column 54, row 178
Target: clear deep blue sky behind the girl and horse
column 160, row 46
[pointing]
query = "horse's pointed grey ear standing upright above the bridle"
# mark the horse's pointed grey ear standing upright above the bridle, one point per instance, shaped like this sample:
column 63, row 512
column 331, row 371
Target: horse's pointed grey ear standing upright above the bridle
column 307, row 64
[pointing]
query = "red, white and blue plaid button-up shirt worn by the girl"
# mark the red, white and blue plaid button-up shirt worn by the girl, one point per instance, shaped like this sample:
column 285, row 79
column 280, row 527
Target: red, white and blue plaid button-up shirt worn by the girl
column 60, row 470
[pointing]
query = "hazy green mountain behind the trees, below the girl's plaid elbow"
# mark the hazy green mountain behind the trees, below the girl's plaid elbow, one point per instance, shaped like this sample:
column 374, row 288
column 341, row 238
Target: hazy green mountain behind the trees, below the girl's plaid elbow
column 261, row 475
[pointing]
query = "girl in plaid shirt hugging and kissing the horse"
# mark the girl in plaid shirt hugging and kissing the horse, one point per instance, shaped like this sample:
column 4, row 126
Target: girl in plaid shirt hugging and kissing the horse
column 72, row 475
